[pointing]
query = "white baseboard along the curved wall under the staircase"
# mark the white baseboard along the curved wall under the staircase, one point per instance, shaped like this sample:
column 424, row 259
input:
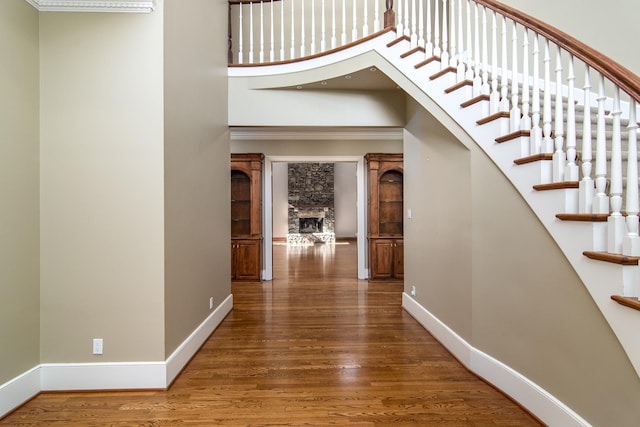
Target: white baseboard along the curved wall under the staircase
column 534, row 398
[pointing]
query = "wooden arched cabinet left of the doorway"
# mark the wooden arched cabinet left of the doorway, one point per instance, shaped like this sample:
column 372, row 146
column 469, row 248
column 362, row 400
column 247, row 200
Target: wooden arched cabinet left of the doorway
column 246, row 216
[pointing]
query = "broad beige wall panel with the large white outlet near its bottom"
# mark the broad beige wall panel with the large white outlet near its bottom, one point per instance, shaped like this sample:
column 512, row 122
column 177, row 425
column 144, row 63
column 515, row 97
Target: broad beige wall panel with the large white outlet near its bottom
column 102, row 228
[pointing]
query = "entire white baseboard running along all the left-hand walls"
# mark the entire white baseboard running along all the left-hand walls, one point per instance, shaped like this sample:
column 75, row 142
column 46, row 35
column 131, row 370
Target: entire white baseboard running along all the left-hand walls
column 109, row 376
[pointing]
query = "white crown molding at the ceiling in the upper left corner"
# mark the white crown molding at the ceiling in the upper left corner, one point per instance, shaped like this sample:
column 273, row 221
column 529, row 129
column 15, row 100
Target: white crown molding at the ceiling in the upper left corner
column 141, row 6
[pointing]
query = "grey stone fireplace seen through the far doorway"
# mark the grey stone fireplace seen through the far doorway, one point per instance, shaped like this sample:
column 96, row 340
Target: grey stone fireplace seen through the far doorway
column 311, row 203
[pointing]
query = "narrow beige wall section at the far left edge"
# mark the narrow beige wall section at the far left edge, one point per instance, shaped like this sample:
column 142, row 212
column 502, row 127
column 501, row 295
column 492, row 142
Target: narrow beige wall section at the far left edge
column 19, row 190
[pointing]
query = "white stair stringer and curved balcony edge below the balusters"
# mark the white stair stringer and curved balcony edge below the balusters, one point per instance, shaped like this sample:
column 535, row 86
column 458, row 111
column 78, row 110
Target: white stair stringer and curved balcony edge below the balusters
column 601, row 279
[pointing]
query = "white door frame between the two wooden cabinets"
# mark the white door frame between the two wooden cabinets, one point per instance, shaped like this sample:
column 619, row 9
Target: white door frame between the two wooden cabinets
column 361, row 203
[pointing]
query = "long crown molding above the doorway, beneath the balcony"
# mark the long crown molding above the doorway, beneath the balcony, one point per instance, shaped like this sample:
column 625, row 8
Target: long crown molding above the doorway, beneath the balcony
column 315, row 133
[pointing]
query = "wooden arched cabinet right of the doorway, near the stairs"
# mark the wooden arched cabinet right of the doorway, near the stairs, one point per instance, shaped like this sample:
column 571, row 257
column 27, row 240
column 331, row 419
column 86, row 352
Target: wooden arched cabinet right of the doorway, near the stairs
column 385, row 216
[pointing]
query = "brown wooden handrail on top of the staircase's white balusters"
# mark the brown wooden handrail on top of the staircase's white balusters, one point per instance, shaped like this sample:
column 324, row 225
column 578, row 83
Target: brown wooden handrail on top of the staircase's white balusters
column 619, row 75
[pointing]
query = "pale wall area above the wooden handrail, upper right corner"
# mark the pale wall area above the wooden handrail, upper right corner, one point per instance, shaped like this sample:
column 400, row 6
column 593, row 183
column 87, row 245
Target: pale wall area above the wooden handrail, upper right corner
column 610, row 27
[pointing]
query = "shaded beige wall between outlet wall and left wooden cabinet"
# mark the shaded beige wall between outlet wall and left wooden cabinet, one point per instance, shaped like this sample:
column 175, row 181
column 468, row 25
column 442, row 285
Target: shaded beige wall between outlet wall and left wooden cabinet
column 196, row 165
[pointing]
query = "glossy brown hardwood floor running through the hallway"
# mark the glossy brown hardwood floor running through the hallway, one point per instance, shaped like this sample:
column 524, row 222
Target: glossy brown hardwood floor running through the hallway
column 315, row 346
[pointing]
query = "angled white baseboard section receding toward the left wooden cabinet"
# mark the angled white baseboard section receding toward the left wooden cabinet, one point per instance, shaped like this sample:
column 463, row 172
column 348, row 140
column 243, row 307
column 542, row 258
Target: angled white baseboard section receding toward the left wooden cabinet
column 181, row 356
